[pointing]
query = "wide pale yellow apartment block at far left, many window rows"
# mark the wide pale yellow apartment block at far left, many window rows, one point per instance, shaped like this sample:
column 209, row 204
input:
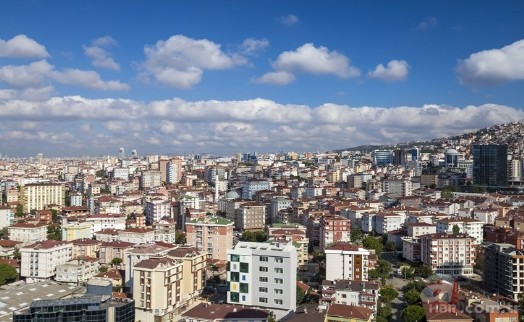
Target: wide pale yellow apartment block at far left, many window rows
column 38, row 196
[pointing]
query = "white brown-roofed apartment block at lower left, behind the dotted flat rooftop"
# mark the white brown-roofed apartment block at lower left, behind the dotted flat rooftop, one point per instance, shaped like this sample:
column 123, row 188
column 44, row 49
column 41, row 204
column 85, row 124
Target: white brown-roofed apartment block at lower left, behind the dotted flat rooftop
column 39, row 261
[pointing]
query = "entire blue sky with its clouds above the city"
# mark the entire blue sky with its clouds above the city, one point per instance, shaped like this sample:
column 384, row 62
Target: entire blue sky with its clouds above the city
column 174, row 77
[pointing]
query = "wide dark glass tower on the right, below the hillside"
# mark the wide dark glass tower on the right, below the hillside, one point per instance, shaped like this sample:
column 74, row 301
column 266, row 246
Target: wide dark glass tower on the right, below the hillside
column 490, row 165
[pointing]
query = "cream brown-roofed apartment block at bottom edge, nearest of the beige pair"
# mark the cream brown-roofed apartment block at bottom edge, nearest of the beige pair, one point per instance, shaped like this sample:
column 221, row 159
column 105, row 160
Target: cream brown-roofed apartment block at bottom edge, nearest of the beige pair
column 156, row 289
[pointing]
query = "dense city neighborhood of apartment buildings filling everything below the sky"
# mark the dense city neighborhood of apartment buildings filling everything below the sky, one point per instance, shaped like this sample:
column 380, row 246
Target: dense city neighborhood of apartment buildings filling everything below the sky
column 421, row 230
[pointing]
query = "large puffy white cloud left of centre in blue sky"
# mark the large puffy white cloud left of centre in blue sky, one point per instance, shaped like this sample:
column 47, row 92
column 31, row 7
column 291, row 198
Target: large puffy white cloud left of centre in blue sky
column 180, row 61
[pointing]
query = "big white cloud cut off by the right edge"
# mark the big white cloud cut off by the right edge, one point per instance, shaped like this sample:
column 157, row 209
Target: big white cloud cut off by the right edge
column 493, row 66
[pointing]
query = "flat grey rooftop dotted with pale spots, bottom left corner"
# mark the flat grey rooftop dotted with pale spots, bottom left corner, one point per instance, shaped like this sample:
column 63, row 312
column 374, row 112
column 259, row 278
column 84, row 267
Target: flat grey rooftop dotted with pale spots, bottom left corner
column 18, row 296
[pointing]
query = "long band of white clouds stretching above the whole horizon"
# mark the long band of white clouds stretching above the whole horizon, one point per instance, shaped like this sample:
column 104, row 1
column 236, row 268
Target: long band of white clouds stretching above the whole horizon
column 178, row 125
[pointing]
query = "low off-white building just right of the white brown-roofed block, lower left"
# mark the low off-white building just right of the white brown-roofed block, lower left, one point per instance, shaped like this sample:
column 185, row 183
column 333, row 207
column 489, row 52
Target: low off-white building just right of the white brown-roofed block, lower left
column 77, row 271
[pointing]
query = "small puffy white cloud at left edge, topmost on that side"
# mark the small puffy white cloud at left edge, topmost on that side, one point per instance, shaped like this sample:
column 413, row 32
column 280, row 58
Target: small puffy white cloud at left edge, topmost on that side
column 22, row 46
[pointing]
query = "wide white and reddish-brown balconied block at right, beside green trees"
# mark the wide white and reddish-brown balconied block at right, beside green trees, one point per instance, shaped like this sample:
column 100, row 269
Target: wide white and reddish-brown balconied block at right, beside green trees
column 450, row 254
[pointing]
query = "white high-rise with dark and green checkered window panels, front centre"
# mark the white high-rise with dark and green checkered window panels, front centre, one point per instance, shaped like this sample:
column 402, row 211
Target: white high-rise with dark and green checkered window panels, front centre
column 263, row 275
